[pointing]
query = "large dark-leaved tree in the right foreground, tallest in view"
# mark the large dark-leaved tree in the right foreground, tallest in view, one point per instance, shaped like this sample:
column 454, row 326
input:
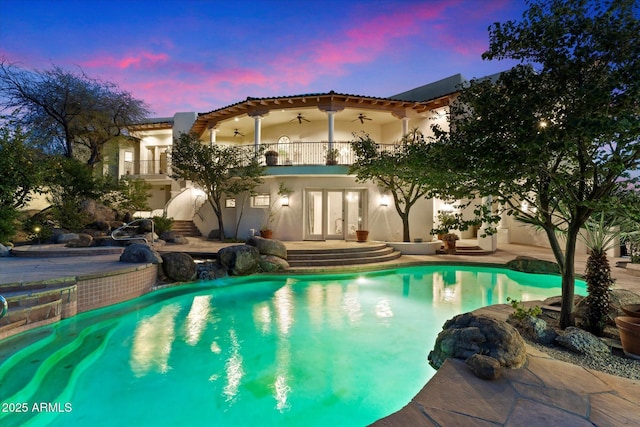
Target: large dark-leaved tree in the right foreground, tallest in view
column 552, row 138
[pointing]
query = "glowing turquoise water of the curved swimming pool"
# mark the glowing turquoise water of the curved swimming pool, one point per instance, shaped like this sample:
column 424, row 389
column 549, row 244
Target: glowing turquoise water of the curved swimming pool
column 298, row 351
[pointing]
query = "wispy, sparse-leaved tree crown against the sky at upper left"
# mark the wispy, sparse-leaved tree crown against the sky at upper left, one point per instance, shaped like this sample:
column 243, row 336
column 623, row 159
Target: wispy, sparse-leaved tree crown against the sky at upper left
column 68, row 113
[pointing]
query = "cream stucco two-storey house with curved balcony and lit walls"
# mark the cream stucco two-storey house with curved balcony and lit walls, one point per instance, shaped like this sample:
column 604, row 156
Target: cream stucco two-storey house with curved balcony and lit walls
column 302, row 132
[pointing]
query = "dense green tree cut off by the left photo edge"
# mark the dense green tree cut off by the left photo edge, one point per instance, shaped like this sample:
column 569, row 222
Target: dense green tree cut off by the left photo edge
column 23, row 170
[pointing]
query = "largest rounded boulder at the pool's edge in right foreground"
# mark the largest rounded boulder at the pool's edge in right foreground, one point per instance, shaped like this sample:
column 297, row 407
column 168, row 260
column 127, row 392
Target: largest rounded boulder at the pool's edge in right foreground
column 468, row 334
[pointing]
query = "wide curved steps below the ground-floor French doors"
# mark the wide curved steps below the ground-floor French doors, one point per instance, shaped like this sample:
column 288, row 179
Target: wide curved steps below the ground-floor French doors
column 367, row 254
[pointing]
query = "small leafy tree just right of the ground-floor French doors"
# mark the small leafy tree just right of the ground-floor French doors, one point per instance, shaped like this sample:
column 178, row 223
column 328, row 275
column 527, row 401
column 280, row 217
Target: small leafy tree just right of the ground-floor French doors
column 394, row 170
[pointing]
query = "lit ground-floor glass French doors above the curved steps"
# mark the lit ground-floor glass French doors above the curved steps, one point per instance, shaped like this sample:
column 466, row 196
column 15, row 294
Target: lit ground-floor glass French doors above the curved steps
column 333, row 214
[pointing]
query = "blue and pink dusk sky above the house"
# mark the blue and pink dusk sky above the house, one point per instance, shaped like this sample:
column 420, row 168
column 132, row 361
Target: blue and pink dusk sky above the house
column 196, row 55
